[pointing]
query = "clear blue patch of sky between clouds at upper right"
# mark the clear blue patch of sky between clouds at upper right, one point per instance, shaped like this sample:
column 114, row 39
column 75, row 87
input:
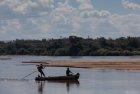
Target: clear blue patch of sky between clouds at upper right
column 115, row 6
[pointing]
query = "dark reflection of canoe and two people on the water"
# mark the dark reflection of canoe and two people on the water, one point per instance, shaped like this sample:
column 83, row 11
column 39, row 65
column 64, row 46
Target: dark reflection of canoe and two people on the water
column 41, row 84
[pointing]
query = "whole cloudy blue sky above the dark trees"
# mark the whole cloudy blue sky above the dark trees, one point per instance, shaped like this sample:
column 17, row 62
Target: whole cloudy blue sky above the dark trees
column 38, row 19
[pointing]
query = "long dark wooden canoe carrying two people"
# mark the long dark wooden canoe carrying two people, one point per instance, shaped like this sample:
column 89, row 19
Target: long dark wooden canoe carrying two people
column 56, row 78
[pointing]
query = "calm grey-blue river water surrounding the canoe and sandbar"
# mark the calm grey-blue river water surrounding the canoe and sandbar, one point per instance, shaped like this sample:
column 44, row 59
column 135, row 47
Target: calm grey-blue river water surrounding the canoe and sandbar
column 91, row 81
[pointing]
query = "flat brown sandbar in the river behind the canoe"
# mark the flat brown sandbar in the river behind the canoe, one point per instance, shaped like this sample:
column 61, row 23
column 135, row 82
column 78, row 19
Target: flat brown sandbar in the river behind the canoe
column 132, row 64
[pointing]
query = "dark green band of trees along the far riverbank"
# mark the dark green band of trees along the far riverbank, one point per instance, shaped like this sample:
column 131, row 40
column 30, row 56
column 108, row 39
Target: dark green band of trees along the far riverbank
column 73, row 46
